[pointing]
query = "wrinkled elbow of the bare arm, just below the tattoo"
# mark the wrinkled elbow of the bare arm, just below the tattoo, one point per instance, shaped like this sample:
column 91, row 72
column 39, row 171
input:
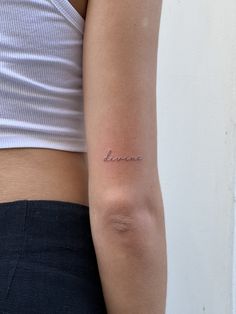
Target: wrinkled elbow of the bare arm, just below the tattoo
column 128, row 217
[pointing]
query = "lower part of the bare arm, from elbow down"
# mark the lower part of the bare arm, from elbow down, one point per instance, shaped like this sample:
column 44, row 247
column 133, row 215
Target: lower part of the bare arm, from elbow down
column 131, row 254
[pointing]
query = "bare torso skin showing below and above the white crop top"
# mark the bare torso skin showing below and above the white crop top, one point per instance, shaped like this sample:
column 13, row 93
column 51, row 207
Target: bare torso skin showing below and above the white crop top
column 40, row 173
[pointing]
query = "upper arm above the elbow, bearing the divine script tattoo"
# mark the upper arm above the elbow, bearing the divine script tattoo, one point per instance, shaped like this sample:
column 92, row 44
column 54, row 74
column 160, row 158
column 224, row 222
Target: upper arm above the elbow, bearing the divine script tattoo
column 119, row 83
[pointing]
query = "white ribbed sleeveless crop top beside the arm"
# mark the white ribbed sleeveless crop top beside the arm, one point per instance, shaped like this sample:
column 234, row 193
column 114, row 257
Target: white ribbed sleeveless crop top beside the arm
column 41, row 94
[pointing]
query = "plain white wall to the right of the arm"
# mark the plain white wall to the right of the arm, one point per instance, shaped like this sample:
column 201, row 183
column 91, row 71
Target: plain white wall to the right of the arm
column 196, row 101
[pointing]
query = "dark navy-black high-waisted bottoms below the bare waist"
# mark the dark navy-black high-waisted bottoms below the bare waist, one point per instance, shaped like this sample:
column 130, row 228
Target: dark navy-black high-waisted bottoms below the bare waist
column 47, row 259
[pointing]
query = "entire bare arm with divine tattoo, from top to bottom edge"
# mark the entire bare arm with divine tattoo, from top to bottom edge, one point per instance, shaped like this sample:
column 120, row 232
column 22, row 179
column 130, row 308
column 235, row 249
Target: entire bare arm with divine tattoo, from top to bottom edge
column 125, row 200
